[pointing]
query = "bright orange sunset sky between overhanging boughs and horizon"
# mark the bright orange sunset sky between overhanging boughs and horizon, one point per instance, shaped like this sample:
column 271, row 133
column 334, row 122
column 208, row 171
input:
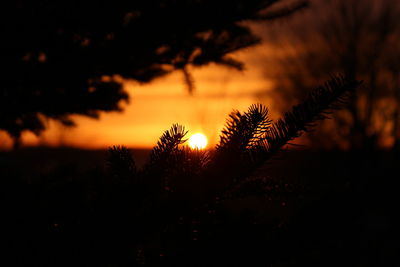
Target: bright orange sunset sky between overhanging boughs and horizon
column 154, row 107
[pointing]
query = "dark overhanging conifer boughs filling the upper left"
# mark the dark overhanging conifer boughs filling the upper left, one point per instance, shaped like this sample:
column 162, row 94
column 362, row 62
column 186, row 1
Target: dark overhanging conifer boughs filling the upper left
column 69, row 57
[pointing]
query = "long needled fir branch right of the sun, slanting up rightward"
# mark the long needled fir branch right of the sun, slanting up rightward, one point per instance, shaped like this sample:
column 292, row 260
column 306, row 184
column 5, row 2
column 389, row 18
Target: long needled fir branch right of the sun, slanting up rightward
column 250, row 139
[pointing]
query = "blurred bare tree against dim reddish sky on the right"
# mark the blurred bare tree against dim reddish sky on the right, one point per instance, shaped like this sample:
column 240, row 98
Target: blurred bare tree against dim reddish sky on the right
column 358, row 38
